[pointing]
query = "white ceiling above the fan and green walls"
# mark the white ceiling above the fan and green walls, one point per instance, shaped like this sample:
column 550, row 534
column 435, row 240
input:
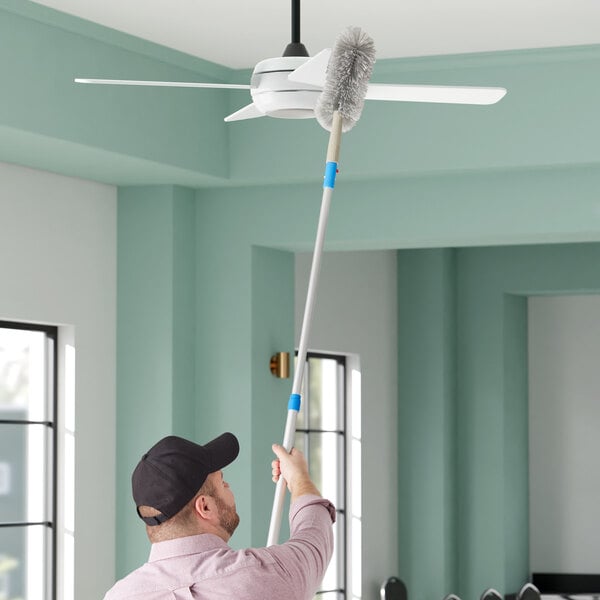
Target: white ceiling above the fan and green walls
column 238, row 34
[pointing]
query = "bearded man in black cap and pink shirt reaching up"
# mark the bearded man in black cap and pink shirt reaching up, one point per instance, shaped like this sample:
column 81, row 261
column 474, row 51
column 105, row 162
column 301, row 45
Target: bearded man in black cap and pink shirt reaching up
column 190, row 514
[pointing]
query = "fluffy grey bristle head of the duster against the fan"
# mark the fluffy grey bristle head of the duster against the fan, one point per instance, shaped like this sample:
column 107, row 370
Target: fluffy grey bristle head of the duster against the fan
column 348, row 74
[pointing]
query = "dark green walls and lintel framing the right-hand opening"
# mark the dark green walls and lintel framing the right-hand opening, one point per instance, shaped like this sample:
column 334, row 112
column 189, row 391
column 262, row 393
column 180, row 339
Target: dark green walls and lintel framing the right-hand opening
column 463, row 417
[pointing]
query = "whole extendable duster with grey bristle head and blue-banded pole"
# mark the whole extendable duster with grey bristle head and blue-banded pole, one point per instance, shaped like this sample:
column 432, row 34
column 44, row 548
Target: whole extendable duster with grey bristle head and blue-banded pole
column 338, row 109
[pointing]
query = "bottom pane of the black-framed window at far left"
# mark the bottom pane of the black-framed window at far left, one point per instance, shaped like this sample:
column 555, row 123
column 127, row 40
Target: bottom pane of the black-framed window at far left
column 23, row 556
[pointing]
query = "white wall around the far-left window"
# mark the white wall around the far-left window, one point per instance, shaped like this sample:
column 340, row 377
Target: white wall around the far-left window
column 58, row 266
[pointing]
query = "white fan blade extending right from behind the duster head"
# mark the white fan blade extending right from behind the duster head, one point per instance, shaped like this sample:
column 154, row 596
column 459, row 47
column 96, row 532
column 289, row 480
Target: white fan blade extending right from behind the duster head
column 435, row 93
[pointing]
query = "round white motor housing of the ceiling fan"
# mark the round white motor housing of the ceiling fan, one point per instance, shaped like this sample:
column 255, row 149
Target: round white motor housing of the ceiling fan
column 276, row 96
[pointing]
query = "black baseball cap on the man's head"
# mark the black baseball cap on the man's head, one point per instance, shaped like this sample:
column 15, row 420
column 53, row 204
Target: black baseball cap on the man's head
column 170, row 474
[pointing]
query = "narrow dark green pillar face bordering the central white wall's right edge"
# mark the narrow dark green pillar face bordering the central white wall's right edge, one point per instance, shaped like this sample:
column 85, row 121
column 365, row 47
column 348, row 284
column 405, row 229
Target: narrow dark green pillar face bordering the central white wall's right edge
column 427, row 509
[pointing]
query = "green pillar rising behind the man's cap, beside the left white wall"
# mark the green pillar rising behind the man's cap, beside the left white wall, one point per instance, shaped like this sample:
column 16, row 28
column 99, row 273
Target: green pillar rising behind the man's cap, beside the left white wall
column 156, row 328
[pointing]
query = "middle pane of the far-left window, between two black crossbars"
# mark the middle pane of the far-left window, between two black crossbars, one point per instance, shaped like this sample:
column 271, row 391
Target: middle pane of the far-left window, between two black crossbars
column 23, row 473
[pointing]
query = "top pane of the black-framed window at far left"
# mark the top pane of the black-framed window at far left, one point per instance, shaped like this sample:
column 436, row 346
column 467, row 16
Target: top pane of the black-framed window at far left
column 23, row 375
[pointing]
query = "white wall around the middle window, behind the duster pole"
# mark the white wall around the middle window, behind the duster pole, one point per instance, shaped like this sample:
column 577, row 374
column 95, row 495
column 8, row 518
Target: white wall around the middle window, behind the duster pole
column 355, row 312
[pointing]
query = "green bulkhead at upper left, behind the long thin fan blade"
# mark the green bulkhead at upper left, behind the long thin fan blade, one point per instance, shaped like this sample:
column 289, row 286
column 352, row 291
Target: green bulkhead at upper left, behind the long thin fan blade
column 107, row 133
